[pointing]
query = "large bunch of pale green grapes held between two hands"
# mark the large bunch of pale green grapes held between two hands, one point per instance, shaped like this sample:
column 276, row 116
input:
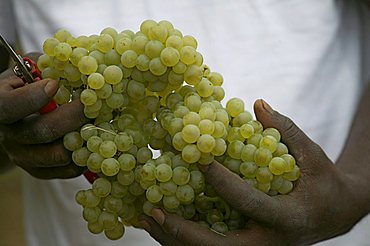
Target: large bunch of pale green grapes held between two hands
column 149, row 91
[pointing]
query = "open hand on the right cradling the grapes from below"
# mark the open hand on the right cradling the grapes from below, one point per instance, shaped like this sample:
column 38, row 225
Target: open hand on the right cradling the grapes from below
column 323, row 203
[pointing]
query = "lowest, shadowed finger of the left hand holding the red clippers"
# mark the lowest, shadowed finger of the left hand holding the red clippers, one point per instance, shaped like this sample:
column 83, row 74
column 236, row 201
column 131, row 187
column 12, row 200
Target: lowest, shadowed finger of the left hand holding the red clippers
column 65, row 172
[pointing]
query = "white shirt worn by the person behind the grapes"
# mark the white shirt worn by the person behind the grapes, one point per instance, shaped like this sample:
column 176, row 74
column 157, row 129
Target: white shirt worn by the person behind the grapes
column 308, row 59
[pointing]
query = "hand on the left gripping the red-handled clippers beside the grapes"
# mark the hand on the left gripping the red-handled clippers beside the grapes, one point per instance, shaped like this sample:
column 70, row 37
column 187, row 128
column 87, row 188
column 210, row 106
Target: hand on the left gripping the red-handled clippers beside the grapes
column 33, row 141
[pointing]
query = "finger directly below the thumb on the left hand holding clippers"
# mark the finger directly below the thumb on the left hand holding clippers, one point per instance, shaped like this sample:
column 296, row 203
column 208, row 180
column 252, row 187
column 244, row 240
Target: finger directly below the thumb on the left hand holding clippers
column 48, row 127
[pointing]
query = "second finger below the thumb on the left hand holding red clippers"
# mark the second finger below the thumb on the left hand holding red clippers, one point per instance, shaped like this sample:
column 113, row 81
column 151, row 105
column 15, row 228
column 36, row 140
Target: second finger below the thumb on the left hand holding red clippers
column 43, row 155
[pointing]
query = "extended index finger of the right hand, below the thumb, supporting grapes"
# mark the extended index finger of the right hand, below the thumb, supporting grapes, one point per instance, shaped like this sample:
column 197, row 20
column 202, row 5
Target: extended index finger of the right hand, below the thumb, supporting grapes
column 243, row 197
